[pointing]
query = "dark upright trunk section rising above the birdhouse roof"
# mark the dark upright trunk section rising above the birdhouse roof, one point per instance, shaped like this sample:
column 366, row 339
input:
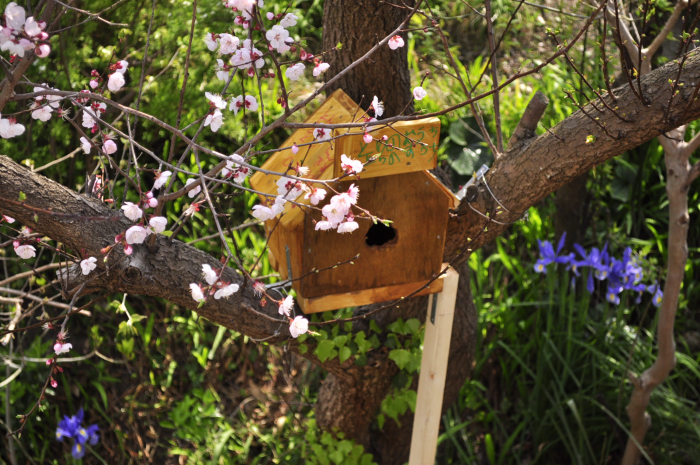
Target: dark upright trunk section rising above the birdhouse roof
column 358, row 25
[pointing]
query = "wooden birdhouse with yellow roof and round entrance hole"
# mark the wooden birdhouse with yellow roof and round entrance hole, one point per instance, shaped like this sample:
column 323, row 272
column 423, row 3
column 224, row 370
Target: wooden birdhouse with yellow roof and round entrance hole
column 376, row 262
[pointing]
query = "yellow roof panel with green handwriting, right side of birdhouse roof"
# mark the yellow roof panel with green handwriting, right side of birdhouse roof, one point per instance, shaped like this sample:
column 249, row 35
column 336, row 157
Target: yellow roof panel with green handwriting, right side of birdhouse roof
column 414, row 148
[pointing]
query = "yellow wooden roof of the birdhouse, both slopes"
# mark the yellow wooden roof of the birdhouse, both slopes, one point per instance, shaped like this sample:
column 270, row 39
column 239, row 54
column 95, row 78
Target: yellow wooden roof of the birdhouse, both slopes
column 410, row 146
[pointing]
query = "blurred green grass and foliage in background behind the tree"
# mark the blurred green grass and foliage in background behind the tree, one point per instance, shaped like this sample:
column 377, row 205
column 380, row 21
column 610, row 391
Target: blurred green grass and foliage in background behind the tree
column 548, row 384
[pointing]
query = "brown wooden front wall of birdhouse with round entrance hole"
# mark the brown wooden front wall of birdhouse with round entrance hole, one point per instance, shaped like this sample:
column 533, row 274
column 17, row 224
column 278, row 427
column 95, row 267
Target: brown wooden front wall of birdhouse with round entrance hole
column 419, row 211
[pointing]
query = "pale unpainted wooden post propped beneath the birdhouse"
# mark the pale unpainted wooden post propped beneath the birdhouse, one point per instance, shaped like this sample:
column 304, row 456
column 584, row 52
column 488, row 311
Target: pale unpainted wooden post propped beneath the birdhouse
column 433, row 371
